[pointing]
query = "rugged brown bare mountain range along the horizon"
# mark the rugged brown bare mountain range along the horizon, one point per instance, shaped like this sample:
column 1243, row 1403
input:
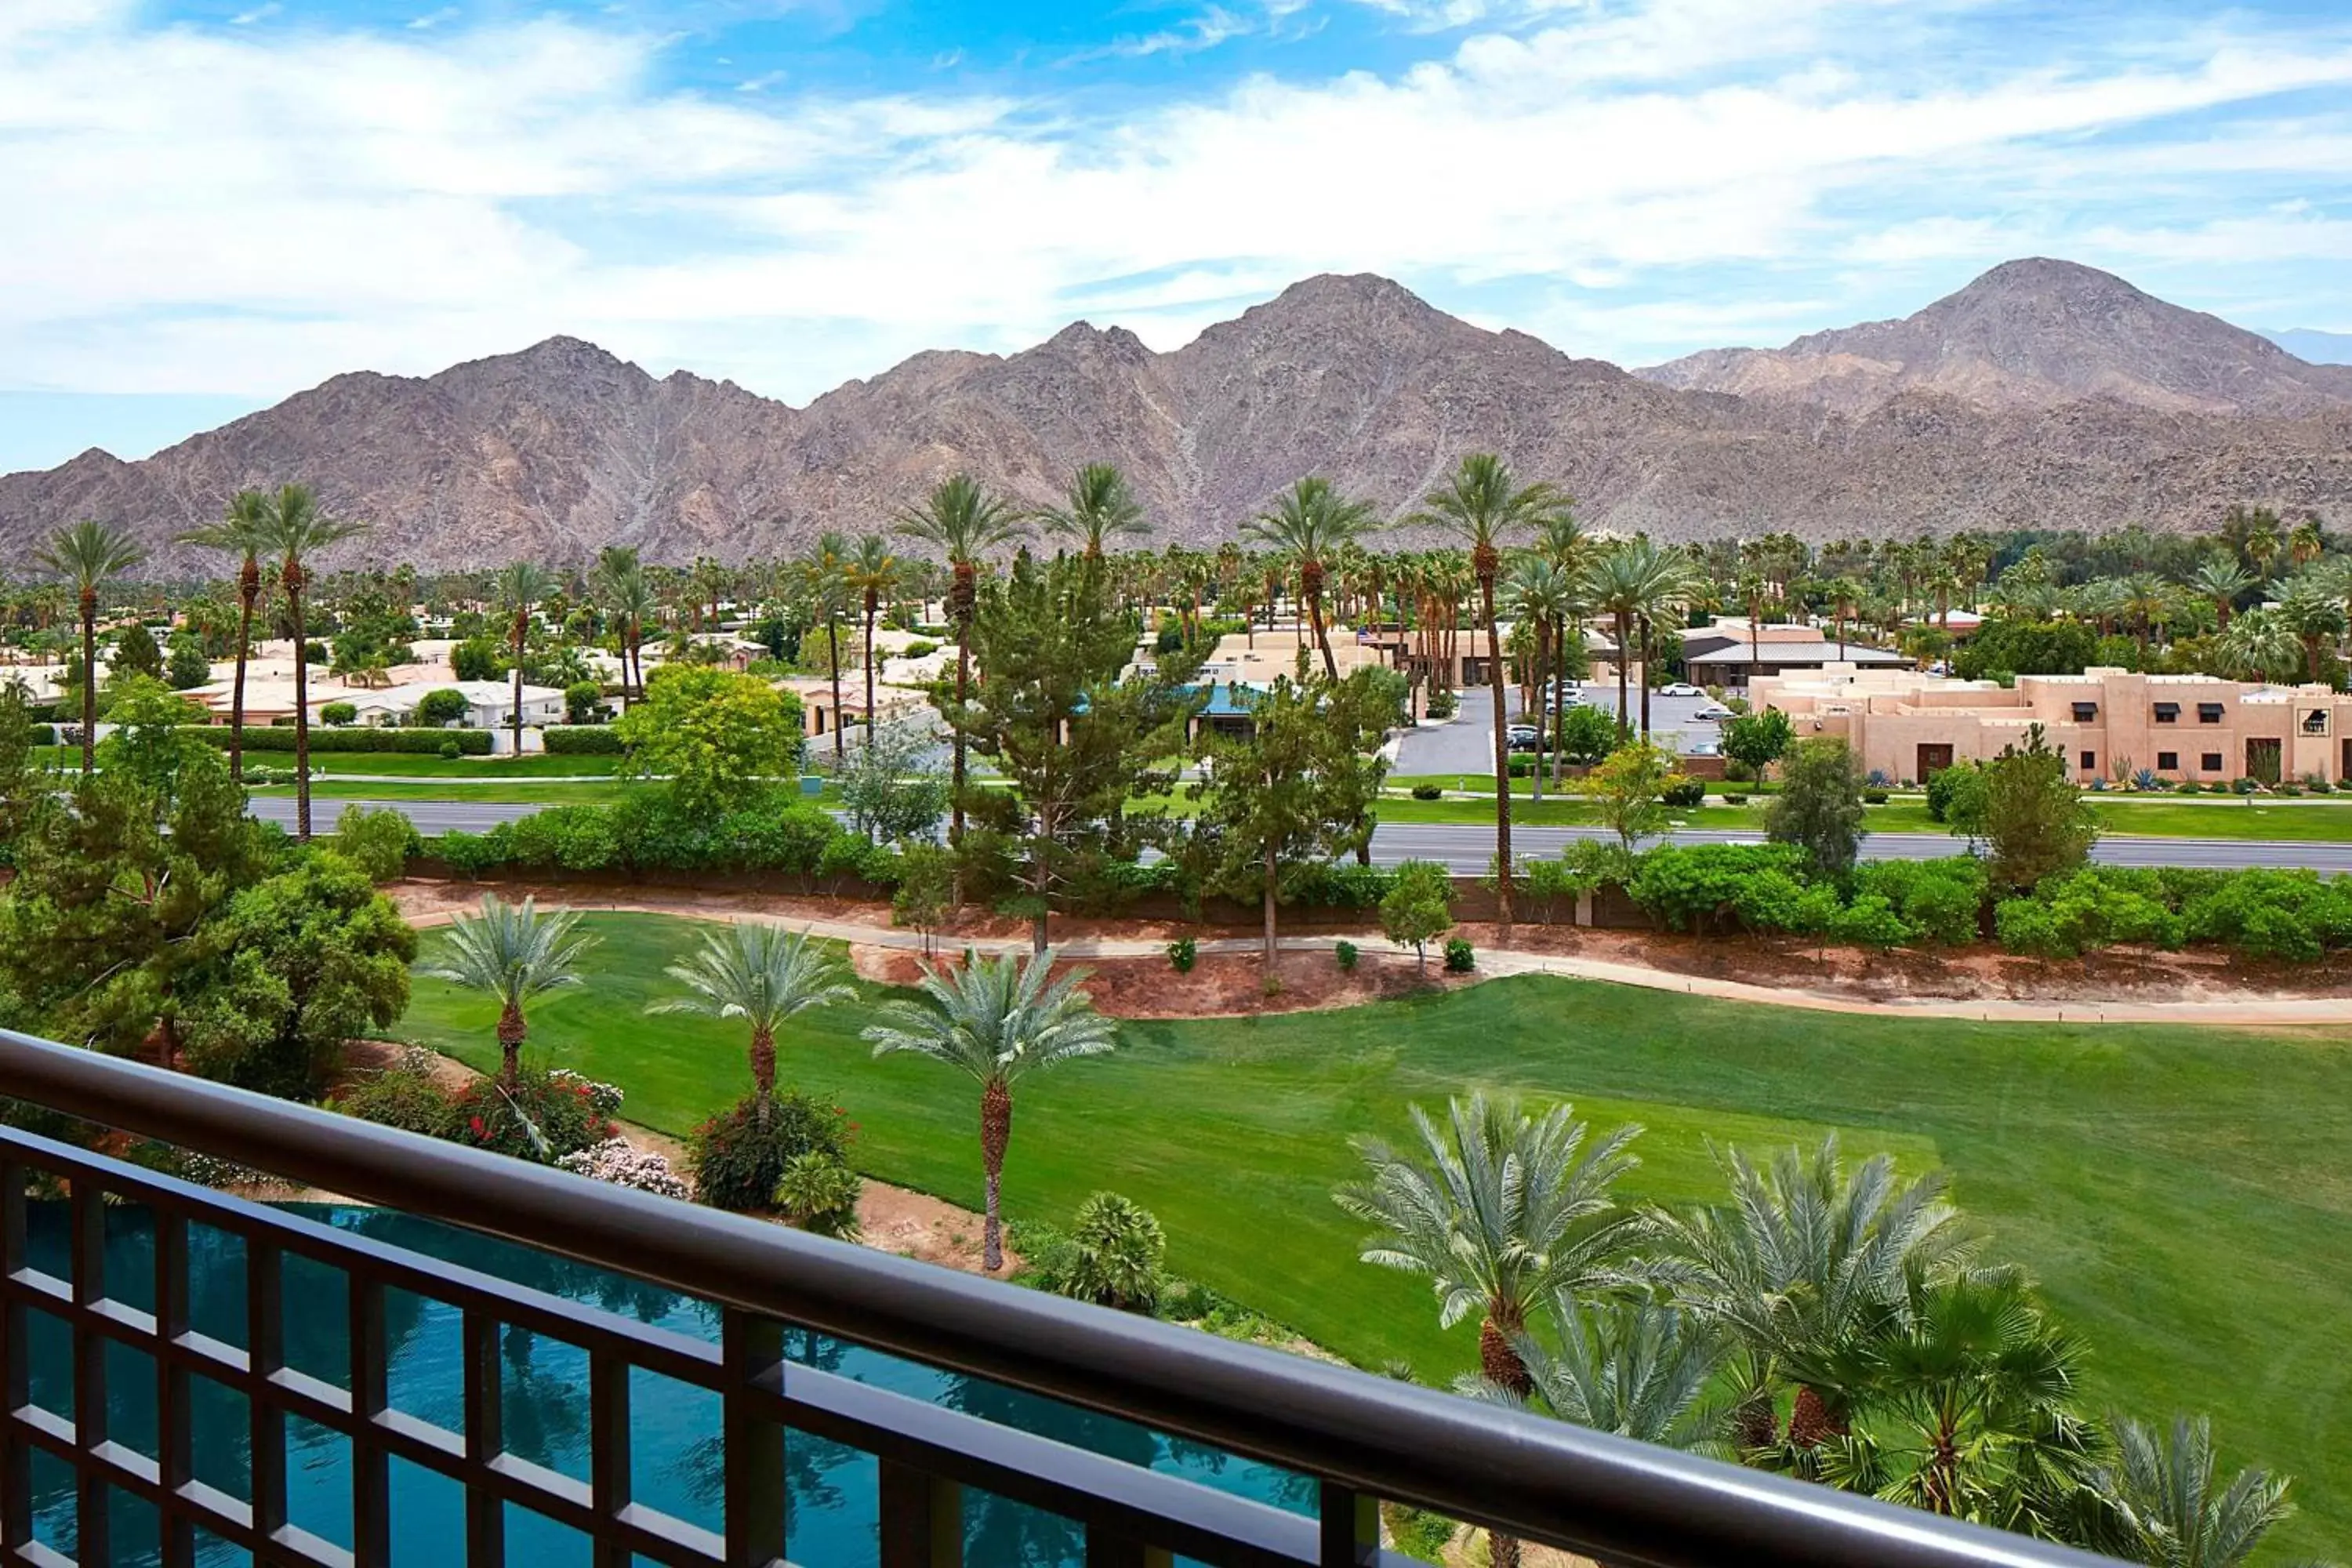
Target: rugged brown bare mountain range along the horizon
column 2043, row 394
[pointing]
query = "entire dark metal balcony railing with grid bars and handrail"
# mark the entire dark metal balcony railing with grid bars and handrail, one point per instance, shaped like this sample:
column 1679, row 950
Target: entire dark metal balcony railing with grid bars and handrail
column 1358, row 1438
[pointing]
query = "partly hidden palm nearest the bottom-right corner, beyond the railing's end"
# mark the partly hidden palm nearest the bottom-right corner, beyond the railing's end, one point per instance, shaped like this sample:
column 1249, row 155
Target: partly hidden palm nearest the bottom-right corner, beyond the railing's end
column 2160, row 1506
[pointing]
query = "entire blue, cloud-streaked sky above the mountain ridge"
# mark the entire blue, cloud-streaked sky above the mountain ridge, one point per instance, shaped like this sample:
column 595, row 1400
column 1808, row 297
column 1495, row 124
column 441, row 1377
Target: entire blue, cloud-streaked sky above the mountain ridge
column 218, row 203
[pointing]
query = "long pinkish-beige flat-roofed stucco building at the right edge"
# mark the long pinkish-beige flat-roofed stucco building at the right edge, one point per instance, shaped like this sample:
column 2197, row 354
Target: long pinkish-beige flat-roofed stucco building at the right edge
column 2109, row 723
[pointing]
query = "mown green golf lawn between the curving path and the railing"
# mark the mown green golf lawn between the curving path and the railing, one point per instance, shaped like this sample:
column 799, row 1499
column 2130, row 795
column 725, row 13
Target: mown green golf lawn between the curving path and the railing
column 2179, row 1193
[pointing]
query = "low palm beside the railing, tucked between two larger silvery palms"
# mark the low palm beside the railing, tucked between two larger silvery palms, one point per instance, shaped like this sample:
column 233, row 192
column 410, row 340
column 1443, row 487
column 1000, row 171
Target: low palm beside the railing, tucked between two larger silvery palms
column 1633, row 1369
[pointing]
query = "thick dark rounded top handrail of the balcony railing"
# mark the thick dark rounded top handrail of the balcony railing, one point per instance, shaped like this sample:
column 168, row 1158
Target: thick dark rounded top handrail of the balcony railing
column 1586, row 1492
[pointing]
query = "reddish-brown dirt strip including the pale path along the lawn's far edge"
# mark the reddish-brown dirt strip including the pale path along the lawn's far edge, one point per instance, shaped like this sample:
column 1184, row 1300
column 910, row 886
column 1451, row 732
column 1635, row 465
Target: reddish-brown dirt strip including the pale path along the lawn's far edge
column 2172, row 989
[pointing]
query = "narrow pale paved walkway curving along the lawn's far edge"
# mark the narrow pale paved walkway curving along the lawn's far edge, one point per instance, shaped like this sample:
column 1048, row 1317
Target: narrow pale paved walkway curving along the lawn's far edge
column 2311, row 1012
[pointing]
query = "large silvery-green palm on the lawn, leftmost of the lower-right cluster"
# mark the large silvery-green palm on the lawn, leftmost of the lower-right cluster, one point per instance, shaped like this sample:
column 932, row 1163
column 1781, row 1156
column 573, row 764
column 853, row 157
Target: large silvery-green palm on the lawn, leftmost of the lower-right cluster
column 1504, row 1212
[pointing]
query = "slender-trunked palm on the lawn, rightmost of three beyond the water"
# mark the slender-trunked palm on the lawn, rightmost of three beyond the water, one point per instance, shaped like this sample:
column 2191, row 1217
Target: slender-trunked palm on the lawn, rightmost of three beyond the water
column 996, row 1021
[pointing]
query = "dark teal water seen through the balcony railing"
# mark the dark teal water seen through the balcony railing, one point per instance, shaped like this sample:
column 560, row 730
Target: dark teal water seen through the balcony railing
column 674, row 1435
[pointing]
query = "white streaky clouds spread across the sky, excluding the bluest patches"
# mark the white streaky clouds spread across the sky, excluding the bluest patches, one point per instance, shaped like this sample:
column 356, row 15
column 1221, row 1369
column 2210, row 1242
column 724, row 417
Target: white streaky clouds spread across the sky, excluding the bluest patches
column 253, row 213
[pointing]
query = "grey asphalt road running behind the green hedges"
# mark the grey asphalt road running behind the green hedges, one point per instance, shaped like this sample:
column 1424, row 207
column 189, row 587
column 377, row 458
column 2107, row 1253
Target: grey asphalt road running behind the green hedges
column 1469, row 850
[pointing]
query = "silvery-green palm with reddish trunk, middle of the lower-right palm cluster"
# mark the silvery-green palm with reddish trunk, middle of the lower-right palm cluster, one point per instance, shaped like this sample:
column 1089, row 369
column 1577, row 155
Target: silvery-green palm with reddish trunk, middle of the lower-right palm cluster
column 1800, row 1259
